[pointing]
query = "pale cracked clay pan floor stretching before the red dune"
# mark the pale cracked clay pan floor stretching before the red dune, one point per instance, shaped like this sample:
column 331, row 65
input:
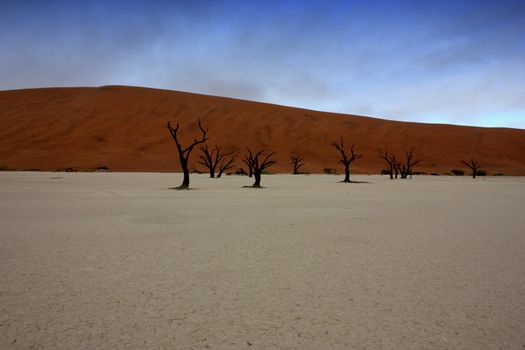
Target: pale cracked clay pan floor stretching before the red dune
column 118, row 261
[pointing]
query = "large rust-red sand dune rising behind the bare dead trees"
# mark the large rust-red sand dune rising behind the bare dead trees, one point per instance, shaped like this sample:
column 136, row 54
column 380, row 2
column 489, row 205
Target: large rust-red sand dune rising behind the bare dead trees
column 124, row 128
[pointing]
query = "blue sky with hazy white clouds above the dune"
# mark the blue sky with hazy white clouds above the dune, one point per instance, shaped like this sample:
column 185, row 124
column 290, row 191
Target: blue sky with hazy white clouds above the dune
column 460, row 62
